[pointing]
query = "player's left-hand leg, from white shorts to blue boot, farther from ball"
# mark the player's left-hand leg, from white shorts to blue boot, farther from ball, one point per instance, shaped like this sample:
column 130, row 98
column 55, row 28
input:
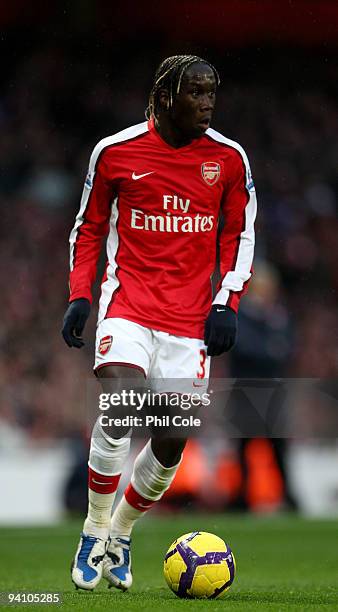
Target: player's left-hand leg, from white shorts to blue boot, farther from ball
column 108, row 453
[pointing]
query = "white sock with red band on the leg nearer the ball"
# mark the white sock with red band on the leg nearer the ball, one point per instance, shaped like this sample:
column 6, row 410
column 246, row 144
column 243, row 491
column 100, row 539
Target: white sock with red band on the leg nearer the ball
column 149, row 482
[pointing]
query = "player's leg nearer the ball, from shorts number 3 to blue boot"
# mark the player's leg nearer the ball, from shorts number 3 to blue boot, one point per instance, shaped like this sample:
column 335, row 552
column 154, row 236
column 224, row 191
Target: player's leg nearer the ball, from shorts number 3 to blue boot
column 157, row 463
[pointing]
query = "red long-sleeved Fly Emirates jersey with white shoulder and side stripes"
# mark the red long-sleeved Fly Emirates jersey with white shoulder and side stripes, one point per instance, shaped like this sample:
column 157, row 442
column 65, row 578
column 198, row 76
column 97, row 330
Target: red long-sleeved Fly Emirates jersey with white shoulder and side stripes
column 160, row 207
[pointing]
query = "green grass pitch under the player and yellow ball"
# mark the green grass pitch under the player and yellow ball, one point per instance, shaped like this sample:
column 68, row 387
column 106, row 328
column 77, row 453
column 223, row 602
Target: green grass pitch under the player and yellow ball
column 283, row 563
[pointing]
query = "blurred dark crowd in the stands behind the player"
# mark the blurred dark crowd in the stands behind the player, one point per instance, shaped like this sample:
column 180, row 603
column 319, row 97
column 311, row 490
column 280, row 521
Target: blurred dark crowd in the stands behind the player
column 54, row 107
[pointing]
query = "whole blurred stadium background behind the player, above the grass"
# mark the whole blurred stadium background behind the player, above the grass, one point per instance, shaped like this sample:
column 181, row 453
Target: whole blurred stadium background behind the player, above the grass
column 76, row 72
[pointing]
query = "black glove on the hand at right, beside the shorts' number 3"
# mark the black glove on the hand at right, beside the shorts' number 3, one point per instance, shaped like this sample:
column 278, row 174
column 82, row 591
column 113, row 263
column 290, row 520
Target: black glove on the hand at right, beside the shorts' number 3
column 220, row 330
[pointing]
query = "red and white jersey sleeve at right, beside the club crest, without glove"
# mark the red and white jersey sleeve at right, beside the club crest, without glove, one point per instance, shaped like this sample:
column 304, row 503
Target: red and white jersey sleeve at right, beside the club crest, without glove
column 237, row 238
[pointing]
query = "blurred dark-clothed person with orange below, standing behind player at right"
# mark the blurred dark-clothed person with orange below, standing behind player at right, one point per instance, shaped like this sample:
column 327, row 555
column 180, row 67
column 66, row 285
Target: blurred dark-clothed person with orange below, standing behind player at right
column 262, row 352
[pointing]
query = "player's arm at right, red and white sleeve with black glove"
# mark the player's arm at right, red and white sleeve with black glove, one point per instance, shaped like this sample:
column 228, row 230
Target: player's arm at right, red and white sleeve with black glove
column 237, row 242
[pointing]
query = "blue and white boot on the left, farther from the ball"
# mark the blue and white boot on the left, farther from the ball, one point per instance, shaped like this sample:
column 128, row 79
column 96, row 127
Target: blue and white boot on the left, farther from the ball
column 88, row 562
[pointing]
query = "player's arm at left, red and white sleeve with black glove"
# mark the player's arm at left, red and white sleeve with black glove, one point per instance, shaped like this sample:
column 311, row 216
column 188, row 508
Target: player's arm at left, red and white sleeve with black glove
column 91, row 226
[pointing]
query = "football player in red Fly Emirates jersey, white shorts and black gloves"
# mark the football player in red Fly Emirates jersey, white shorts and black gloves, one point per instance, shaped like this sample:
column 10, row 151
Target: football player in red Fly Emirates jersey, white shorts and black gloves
column 156, row 190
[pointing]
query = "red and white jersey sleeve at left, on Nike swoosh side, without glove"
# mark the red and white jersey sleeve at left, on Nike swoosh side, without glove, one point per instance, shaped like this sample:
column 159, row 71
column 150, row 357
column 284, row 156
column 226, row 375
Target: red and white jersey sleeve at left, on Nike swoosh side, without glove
column 91, row 226
